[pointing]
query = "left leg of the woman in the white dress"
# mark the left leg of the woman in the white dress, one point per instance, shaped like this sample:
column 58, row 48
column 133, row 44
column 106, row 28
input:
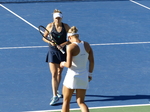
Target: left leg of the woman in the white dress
column 67, row 94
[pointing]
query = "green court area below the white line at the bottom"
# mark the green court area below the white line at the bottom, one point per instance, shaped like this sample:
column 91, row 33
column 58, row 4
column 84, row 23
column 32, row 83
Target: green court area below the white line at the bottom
column 140, row 108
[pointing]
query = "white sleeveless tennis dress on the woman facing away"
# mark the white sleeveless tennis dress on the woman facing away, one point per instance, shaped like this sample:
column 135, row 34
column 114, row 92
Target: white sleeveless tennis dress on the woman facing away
column 77, row 75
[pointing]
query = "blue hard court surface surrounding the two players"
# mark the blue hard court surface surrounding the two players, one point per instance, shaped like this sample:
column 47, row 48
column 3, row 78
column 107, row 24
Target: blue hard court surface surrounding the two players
column 118, row 31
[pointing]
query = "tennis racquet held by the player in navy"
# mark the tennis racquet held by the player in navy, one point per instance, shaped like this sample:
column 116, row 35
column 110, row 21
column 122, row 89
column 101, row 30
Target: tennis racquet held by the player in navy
column 43, row 31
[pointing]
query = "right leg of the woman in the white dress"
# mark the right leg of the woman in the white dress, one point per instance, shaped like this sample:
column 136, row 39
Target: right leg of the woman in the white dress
column 80, row 95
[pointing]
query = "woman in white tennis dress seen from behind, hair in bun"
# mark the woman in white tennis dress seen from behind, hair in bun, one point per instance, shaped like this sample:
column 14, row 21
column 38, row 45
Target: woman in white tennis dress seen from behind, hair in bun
column 78, row 76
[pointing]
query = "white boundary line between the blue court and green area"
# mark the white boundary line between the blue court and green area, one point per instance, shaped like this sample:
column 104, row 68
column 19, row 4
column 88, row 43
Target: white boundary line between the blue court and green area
column 119, row 106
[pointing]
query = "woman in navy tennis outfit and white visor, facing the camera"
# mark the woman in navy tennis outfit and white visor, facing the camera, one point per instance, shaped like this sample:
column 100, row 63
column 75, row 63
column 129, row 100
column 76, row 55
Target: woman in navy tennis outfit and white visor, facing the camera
column 58, row 31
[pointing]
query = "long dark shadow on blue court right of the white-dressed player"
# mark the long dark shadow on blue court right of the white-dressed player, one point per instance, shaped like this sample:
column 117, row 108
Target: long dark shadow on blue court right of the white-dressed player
column 117, row 98
